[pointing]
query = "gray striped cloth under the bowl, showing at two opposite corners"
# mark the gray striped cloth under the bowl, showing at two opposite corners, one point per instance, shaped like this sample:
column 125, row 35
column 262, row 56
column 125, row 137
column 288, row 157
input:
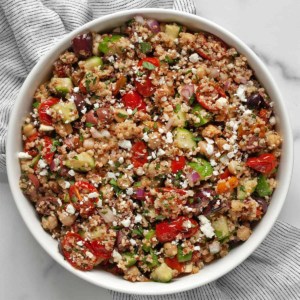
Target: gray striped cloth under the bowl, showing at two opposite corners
column 28, row 28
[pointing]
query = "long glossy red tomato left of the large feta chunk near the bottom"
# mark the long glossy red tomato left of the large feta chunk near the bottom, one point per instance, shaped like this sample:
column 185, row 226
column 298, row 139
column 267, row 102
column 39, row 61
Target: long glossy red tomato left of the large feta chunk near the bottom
column 167, row 231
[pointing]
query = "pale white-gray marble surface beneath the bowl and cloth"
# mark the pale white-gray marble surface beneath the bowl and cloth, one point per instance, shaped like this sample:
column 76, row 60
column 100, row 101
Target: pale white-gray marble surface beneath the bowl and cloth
column 270, row 29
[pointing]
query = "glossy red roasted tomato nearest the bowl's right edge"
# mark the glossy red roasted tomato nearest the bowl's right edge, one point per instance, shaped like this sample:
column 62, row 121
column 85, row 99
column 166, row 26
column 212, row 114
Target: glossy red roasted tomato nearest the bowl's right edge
column 264, row 163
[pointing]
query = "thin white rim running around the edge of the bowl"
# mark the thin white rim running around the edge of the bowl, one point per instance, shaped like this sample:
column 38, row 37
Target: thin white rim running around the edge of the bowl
column 139, row 288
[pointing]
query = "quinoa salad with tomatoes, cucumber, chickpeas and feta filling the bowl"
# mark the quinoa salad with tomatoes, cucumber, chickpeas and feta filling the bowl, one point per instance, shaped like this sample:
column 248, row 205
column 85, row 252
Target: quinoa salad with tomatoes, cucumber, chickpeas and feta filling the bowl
column 150, row 151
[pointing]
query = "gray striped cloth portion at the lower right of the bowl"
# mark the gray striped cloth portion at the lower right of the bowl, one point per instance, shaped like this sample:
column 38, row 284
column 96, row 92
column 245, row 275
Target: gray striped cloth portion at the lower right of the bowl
column 272, row 272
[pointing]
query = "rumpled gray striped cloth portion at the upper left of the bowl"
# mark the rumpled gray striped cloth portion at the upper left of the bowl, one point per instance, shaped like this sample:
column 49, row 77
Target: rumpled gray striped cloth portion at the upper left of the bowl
column 29, row 28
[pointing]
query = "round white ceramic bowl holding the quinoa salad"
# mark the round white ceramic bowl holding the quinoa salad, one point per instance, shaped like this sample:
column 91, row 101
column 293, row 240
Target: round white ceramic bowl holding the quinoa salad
column 104, row 279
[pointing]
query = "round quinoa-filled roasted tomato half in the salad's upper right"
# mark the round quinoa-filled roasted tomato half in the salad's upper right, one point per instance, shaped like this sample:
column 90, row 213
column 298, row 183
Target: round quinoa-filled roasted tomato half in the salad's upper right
column 208, row 96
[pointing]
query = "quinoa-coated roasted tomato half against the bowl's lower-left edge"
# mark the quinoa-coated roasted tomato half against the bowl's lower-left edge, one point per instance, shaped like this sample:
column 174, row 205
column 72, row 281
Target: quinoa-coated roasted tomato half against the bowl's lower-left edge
column 78, row 252
